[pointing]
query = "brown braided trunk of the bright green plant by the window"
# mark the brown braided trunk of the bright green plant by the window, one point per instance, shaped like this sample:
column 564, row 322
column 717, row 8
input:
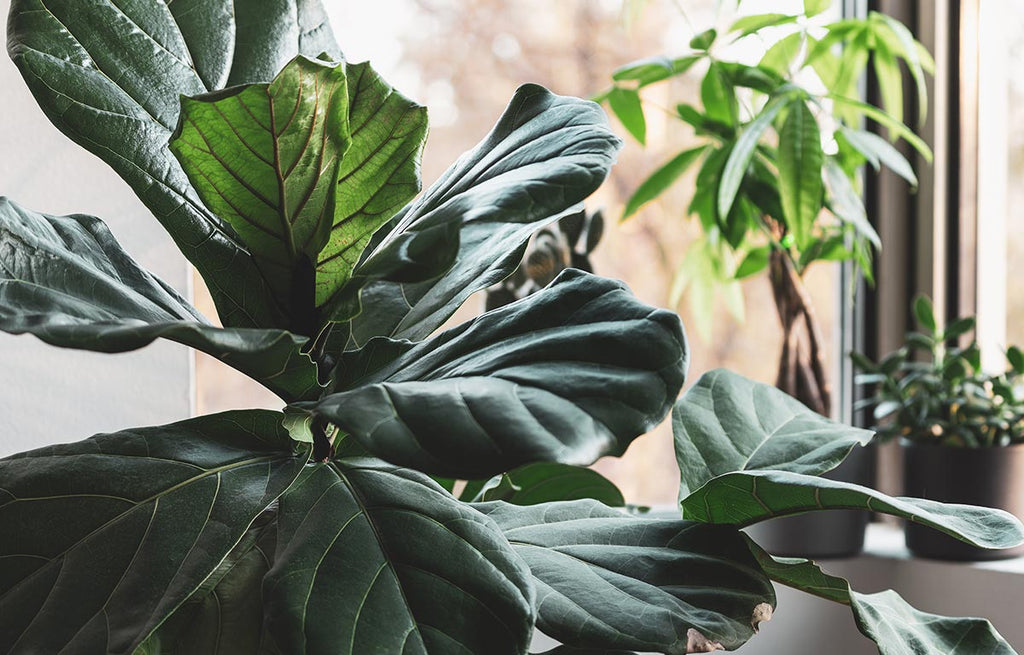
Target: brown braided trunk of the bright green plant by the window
column 801, row 367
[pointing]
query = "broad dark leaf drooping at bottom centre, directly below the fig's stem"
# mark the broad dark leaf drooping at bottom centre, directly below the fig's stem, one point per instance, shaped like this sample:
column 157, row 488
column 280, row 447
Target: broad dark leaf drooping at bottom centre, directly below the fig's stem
column 373, row 559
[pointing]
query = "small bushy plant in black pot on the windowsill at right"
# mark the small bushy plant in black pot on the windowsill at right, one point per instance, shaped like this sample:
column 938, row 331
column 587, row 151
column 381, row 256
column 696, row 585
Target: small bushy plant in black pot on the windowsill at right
column 962, row 427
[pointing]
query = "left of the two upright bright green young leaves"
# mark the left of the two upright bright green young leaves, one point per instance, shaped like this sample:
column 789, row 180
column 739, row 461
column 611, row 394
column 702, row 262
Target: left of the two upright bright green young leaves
column 266, row 158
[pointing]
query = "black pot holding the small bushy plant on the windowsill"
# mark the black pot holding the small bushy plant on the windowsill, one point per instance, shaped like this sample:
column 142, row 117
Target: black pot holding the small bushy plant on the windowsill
column 990, row 477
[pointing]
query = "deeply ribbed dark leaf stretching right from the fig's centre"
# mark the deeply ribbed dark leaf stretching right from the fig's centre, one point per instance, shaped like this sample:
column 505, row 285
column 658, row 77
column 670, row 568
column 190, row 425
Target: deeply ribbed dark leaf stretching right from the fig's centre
column 567, row 375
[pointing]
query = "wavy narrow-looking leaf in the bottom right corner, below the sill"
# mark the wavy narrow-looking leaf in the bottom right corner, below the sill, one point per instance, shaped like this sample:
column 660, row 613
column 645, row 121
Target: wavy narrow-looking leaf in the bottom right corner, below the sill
column 886, row 619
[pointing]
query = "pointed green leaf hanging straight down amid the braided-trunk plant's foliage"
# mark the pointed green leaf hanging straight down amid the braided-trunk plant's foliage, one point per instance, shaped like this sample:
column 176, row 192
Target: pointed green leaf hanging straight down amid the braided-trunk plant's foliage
column 800, row 171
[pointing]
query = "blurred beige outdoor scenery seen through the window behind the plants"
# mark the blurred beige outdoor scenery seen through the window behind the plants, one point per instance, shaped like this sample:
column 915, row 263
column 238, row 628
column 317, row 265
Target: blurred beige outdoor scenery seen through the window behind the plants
column 464, row 59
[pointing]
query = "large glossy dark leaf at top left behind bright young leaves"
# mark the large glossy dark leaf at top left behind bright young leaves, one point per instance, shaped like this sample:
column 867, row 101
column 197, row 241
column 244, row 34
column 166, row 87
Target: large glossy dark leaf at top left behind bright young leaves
column 110, row 76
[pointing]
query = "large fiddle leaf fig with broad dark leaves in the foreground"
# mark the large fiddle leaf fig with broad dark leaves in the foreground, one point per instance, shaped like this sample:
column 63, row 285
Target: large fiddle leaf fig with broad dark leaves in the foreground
column 328, row 528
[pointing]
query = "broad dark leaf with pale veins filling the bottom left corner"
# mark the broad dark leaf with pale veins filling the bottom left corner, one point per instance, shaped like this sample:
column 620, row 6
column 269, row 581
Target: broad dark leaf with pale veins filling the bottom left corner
column 107, row 538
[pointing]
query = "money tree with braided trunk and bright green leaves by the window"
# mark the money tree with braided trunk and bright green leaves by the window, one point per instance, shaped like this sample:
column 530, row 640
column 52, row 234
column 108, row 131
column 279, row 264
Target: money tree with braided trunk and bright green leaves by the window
column 781, row 146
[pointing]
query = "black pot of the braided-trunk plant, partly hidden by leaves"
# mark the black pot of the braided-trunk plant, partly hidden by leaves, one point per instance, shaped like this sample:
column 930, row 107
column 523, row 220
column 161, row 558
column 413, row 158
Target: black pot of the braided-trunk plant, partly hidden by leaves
column 831, row 535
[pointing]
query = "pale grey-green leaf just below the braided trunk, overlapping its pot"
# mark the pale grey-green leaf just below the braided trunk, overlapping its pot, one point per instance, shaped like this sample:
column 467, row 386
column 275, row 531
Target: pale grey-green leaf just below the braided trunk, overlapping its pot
column 728, row 423
